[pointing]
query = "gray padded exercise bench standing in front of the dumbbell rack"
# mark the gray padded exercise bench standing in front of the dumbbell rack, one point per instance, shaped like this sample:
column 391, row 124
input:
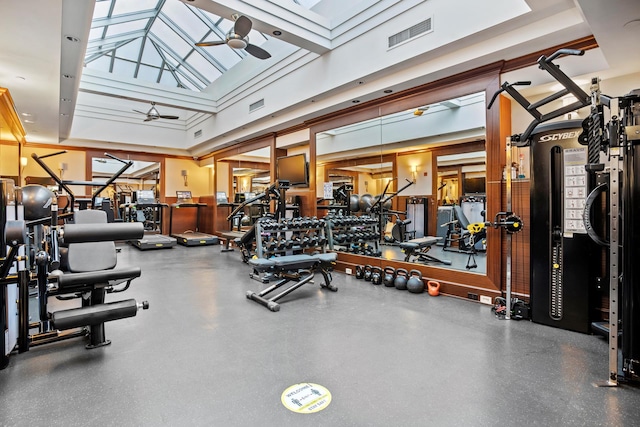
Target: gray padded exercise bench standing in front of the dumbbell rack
column 299, row 269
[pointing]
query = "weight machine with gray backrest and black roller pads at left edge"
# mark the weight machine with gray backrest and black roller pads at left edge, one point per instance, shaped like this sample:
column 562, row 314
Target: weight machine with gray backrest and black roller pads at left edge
column 70, row 262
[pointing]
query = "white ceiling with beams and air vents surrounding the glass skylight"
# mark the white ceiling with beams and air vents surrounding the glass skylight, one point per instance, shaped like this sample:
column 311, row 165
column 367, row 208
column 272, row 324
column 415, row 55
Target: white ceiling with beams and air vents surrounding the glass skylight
column 35, row 54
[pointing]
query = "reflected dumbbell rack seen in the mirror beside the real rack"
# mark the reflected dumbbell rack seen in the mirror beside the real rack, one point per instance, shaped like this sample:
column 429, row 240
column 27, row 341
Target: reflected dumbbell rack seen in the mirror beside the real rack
column 354, row 234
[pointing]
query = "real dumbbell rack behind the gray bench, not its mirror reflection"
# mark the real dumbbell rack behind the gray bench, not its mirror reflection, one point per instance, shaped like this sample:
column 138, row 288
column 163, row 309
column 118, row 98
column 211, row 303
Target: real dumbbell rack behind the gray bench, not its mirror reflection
column 290, row 236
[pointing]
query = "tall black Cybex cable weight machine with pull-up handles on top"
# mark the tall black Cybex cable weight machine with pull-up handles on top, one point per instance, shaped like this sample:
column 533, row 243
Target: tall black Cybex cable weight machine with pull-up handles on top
column 600, row 156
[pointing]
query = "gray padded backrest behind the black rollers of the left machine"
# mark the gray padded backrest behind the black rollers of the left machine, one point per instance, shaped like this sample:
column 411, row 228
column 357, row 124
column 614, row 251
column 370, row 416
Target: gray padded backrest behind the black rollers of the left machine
column 91, row 256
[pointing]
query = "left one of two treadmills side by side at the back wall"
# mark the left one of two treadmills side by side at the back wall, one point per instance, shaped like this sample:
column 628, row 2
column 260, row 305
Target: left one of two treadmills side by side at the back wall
column 152, row 238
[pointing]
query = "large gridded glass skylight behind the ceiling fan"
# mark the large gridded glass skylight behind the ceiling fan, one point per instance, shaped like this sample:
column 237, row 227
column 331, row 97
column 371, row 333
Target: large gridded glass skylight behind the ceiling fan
column 153, row 40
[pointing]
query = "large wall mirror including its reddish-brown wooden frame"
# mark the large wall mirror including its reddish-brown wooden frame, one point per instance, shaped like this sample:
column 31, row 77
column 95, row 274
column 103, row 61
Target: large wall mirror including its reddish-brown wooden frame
column 431, row 138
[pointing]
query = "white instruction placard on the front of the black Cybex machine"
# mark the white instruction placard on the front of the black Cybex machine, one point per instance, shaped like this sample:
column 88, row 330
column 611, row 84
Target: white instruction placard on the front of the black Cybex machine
column 575, row 190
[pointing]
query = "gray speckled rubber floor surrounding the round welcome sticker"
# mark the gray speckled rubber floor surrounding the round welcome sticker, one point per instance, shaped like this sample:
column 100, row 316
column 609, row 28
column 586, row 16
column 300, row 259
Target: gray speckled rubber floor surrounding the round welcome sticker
column 204, row 355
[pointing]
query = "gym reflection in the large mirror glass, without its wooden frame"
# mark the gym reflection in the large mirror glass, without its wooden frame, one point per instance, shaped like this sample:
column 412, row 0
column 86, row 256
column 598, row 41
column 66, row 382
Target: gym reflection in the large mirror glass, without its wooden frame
column 402, row 149
